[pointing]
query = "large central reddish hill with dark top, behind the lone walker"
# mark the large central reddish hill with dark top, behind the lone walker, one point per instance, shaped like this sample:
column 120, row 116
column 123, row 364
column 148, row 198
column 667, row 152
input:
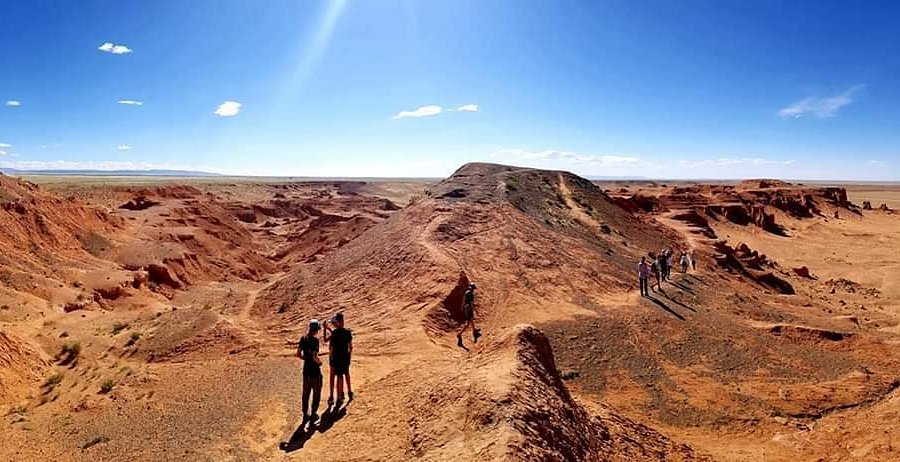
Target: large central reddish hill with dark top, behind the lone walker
column 558, row 235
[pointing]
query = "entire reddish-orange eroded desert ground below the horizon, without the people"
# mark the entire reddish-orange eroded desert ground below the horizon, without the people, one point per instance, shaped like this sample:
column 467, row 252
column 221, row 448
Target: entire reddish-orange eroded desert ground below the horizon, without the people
column 157, row 319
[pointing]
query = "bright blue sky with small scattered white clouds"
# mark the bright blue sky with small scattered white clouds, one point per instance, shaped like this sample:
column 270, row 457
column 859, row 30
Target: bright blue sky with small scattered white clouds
column 664, row 89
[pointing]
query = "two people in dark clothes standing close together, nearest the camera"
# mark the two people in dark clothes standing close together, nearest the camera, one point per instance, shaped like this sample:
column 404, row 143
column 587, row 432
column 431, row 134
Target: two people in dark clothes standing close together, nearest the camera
column 340, row 348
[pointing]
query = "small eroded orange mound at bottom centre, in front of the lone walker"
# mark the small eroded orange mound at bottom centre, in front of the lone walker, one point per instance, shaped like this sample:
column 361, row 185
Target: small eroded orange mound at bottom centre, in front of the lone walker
column 517, row 408
